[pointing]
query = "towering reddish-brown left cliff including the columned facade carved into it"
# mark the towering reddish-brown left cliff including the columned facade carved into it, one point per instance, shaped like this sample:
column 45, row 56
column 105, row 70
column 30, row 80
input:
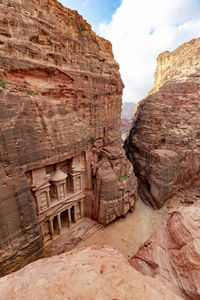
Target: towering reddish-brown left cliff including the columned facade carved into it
column 60, row 141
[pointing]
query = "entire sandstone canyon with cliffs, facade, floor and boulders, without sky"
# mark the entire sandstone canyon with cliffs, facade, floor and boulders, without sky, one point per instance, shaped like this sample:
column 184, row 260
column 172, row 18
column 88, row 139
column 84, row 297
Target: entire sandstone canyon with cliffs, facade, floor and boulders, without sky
column 64, row 174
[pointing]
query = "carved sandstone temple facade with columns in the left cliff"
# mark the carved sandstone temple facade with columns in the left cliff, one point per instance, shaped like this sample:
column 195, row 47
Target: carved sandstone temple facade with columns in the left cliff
column 59, row 195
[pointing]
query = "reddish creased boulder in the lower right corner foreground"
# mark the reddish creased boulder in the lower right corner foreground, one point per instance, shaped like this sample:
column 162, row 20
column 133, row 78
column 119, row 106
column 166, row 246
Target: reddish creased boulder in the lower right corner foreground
column 173, row 251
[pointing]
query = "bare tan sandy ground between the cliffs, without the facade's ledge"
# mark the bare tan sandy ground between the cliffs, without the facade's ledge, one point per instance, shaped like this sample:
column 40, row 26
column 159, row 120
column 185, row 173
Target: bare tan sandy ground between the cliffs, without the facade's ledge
column 128, row 234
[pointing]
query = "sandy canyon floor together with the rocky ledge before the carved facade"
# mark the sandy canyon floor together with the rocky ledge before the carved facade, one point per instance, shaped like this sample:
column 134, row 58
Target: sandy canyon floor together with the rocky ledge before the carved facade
column 125, row 234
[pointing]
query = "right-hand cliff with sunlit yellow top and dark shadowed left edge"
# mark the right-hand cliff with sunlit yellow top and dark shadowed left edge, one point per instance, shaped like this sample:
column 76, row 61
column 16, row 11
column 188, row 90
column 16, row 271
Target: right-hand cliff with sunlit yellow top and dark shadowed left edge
column 164, row 142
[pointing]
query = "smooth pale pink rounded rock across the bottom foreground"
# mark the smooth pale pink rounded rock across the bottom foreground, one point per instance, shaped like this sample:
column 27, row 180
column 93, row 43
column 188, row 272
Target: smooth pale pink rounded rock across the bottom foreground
column 89, row 273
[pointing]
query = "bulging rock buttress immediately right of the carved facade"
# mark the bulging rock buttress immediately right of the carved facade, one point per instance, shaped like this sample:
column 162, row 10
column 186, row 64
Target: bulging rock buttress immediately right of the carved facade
column 115, row 187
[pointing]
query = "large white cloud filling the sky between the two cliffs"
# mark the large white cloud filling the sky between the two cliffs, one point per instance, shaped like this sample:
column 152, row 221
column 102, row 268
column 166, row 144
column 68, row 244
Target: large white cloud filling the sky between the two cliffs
column 142, row 29
